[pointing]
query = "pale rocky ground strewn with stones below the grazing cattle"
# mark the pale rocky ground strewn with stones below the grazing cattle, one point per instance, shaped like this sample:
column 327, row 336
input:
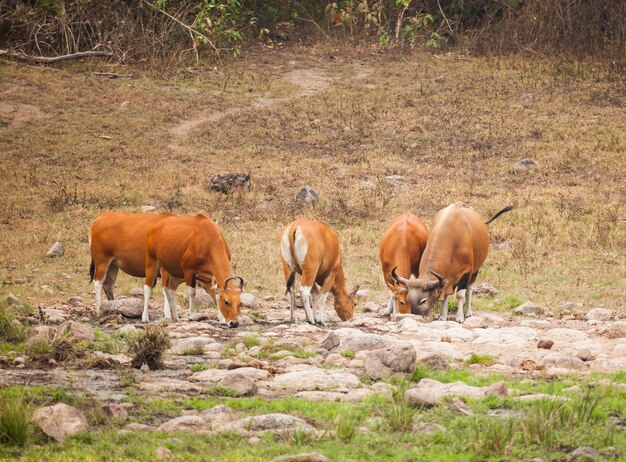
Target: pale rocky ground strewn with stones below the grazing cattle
column 343, row 361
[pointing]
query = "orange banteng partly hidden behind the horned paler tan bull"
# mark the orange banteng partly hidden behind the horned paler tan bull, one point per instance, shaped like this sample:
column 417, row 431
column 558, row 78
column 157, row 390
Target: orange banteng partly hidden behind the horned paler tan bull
column 401, row 248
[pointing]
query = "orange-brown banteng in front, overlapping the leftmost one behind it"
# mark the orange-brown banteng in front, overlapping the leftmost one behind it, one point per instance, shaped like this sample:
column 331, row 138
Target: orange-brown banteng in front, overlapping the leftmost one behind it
column 192, row 250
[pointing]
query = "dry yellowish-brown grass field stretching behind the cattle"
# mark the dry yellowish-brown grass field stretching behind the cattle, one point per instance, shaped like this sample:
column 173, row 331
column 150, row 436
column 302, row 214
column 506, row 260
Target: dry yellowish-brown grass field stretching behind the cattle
column 73, row 145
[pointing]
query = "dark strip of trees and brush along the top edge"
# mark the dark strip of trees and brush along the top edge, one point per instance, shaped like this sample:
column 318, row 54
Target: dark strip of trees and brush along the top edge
column 189, row 29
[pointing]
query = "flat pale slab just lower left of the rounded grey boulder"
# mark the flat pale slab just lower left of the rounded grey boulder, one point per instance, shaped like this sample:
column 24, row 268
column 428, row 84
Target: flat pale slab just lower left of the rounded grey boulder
column 303, row 377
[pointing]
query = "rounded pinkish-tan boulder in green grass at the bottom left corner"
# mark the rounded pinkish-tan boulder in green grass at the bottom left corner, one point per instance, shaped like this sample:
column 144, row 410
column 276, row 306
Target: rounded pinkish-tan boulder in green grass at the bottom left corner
column 60, row 421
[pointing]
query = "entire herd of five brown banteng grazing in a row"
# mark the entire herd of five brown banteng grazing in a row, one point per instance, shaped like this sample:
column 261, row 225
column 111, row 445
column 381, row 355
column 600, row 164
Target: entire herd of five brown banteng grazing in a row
column 418, row 267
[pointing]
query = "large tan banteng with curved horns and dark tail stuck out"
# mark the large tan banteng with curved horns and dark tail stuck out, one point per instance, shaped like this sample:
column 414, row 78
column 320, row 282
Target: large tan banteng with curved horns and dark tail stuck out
column 456, row 249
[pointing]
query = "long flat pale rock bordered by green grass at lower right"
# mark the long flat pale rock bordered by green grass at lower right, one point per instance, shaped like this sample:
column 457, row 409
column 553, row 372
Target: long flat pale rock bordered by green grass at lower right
column 430, row 392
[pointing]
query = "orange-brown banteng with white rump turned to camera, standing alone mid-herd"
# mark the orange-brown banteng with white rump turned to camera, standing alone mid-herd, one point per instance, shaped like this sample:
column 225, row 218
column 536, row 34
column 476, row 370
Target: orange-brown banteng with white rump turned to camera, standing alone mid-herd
column 311, row 248
